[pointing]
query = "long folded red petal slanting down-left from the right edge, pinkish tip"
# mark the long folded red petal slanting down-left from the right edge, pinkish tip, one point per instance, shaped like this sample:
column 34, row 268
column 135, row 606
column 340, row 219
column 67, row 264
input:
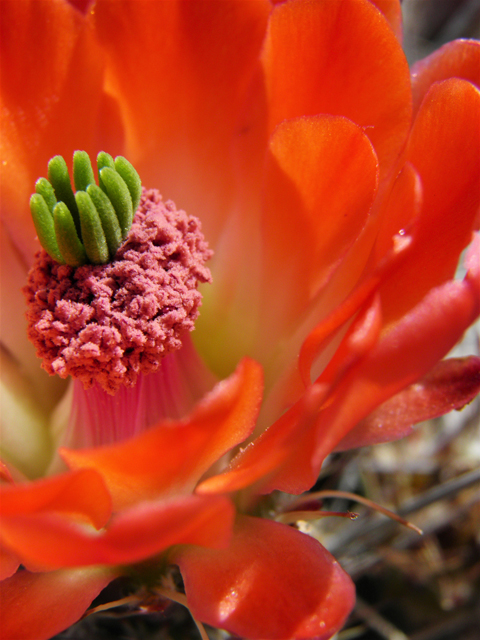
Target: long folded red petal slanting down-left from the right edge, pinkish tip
column 407, row 352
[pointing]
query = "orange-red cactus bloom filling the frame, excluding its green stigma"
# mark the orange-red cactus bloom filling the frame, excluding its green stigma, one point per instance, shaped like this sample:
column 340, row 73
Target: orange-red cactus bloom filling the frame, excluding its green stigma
column 337, row 191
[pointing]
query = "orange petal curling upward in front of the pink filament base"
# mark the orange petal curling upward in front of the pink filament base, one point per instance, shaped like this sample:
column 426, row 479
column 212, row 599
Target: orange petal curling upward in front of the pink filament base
column 170, row 458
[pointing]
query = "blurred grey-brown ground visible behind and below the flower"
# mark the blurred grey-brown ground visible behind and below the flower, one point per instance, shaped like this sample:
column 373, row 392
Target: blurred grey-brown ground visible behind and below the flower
column 409, row 587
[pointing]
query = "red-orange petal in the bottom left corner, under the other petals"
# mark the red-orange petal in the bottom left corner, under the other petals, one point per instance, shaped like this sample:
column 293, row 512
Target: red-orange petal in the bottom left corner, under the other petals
column 36, row 606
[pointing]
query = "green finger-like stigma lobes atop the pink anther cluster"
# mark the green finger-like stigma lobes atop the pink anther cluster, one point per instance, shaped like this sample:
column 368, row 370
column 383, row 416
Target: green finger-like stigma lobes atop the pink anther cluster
column 88, row 226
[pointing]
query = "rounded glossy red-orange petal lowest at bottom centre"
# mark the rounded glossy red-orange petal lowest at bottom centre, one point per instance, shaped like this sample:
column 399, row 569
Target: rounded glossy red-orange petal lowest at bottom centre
column 272, row 582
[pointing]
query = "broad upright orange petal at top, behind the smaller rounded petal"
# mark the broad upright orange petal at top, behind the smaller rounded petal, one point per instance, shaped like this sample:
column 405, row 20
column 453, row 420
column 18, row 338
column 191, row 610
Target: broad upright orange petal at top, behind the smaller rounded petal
column 338, row 58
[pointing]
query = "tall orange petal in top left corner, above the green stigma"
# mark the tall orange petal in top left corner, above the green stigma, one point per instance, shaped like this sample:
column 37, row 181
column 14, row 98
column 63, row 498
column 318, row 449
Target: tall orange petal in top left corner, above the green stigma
column 52, row 101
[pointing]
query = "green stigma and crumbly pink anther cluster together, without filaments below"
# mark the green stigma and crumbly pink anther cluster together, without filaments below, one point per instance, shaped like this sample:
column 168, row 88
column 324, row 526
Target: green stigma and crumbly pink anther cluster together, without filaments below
column 110, row 321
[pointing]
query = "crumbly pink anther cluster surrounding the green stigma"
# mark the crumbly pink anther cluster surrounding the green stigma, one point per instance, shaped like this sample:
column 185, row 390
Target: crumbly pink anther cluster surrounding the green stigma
column 106, row 324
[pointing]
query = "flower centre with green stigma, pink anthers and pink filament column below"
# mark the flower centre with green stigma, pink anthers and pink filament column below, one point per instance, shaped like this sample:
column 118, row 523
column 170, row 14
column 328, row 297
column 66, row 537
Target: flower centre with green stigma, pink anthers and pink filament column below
column 107, row 325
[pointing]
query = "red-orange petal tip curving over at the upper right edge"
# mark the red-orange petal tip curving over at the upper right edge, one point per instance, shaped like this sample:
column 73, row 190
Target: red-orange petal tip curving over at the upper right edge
column 457, row 59
